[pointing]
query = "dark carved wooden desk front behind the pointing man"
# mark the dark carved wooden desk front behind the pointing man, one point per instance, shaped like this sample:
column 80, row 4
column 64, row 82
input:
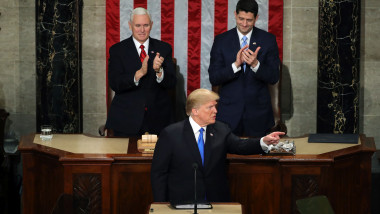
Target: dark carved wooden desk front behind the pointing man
column 120, row 183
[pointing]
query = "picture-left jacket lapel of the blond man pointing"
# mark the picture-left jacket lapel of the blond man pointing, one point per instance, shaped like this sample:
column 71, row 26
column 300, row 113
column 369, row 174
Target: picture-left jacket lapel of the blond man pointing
column 189, row 139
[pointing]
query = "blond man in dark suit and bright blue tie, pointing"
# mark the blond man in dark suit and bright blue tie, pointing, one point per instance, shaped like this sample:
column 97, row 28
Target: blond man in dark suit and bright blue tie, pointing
column 176, row 151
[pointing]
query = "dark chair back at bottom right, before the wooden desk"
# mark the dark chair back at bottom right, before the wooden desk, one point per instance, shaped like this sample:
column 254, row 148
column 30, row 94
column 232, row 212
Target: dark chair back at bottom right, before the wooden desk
column 314, row 205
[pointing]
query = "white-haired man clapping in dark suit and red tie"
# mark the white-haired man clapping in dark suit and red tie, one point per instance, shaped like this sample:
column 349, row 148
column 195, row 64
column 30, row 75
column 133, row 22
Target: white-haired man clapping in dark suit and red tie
column 140, row 72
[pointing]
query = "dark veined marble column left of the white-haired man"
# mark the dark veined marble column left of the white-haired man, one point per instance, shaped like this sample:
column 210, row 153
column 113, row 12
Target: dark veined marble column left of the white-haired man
column 59, row 70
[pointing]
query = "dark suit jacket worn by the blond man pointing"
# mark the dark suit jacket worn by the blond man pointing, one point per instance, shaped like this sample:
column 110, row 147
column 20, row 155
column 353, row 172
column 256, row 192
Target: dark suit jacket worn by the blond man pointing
column 172, row 173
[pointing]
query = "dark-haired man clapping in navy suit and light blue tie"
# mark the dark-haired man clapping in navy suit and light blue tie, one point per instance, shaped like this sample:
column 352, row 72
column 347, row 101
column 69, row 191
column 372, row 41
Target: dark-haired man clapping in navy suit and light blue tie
column 243, row 61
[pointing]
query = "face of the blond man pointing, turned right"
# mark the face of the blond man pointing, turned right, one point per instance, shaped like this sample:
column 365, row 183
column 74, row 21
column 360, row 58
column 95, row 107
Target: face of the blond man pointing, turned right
column 206, row 113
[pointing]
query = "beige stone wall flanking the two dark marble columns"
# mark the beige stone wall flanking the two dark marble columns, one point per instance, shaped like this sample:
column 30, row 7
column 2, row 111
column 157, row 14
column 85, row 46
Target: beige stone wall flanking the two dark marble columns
column 299, row 88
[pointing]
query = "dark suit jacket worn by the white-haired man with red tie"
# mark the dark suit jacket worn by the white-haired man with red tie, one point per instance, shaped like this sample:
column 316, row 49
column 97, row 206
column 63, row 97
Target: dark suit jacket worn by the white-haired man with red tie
column 148, row 102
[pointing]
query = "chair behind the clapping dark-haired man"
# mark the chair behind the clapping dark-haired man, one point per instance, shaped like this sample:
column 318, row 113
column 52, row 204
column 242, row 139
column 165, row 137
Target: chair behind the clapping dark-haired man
column 275, row 94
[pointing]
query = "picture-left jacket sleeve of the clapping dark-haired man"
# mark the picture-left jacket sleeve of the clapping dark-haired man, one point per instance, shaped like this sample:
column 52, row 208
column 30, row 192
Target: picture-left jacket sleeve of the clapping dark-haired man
column 220, row 69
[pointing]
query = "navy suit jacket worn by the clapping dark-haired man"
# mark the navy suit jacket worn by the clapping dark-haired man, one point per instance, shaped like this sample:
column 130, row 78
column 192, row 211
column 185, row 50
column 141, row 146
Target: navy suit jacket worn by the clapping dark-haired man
column 245, row 94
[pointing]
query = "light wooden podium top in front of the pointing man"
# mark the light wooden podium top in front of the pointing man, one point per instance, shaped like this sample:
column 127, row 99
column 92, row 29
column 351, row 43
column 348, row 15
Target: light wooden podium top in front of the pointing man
column 217, row 208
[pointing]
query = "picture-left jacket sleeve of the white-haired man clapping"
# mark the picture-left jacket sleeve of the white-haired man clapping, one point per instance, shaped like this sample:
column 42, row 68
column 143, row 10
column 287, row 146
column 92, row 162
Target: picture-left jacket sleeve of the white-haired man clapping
column 120, row 79
